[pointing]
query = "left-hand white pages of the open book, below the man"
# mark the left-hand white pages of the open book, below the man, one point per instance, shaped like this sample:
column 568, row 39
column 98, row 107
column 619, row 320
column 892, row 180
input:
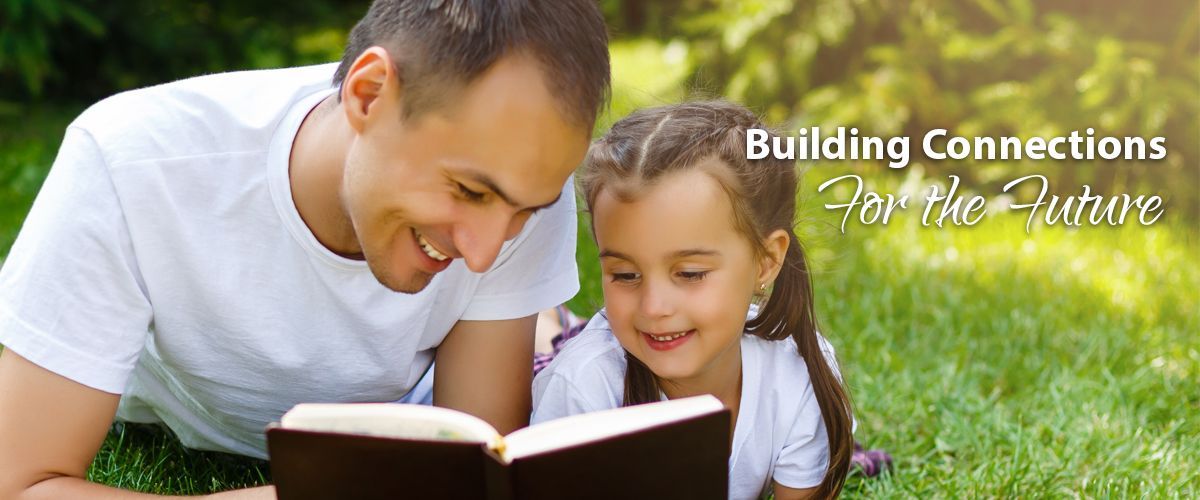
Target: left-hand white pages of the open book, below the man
column 392, row 420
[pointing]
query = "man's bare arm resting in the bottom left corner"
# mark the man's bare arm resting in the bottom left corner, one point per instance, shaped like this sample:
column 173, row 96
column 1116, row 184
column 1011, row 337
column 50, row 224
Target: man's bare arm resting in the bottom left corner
column 52, row 429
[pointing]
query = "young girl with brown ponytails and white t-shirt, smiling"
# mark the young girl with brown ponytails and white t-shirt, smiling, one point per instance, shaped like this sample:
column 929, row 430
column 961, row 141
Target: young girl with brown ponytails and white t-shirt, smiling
column 691, row 234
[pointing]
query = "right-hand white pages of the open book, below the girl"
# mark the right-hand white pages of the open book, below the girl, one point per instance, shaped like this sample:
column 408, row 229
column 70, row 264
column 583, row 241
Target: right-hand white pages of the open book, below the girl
column 583, row 429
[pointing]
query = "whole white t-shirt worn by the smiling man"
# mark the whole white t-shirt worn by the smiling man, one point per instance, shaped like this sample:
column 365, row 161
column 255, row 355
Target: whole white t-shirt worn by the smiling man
column 165, row 261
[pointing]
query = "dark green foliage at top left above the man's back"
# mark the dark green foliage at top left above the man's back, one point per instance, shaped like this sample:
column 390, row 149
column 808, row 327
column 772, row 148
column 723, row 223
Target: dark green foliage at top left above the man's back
column 86, row 50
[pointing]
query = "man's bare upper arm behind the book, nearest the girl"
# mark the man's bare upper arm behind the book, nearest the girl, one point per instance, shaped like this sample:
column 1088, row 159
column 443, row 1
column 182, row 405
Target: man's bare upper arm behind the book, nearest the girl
column 485, row 369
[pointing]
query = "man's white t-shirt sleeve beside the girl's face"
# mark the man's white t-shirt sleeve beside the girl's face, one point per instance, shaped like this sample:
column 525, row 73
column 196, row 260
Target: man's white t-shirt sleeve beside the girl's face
column 536, row 272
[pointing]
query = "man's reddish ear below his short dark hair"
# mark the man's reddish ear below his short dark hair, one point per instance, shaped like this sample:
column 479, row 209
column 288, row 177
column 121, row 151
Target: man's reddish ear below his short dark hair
column 369, row 87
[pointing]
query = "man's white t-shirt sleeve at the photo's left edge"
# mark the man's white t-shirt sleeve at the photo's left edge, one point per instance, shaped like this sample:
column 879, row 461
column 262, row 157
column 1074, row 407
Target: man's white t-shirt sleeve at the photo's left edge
column 71, row 299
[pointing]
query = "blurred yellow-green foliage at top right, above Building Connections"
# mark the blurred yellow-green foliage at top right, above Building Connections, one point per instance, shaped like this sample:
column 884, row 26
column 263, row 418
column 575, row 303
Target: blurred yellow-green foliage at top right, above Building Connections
column 982, row 68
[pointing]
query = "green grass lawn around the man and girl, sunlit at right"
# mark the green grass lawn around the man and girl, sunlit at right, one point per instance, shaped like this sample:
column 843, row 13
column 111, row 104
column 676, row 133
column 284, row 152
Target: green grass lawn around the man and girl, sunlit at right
column 987, row 360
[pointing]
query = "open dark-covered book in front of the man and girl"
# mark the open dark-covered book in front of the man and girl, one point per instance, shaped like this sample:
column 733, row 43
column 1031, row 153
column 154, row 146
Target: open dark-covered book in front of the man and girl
column 670, row 450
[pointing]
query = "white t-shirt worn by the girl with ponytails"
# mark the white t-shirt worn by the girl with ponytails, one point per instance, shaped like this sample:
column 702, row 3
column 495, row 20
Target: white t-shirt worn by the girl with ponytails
column 779, row 433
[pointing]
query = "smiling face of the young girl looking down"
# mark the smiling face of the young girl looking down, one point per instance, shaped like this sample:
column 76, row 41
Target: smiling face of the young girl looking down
column 679, row 278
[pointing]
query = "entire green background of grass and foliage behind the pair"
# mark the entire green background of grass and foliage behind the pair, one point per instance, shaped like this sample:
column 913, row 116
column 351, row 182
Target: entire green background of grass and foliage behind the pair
column 988, row 360
